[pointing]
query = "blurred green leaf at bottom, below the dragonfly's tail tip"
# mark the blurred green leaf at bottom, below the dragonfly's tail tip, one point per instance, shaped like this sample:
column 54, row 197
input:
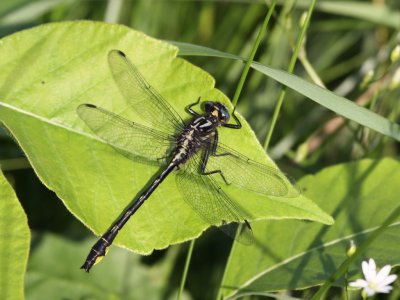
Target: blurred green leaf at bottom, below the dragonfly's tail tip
column 53, row 271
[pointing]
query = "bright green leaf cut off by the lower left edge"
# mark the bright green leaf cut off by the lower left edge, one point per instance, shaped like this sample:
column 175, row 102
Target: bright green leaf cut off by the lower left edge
column 14, row 243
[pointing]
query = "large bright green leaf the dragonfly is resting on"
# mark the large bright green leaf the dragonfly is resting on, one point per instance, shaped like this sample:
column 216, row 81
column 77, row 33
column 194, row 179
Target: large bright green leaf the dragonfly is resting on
column 44, row 82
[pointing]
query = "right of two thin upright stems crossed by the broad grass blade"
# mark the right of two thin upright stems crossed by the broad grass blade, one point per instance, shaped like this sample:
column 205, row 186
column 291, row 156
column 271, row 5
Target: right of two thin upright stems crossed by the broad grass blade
column 290, row 71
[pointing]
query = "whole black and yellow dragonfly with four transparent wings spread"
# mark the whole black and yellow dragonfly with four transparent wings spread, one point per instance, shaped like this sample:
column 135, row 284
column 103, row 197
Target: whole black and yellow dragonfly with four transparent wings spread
column 190, row 149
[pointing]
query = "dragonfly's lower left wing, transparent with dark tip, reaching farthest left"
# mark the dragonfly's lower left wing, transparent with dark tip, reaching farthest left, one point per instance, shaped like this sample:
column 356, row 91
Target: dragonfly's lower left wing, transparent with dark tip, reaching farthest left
column 133, row 140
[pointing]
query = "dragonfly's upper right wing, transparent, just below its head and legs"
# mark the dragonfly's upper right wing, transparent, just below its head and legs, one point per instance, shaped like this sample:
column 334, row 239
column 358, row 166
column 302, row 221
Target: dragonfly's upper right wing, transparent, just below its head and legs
column 251, row 175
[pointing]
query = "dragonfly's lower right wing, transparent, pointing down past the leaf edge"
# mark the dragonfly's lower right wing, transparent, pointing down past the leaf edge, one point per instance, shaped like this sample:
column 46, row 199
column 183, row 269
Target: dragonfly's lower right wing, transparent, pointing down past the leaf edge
column 211, row 203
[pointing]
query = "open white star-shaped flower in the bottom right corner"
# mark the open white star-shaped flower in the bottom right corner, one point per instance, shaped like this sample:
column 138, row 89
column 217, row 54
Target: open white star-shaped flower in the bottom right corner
column 375, row 282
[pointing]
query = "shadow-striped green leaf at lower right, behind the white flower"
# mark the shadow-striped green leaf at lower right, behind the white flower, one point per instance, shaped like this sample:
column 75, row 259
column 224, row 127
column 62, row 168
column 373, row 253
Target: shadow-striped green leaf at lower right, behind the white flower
column 294, row 255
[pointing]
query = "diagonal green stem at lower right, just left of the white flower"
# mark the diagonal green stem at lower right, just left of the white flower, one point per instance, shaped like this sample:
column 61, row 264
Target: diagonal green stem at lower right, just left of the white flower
column 345, row 265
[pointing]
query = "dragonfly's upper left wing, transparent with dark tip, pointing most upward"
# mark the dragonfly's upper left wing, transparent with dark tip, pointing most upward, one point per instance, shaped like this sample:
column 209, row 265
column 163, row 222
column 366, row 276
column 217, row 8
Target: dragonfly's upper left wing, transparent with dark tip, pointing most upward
column 153, row 109
